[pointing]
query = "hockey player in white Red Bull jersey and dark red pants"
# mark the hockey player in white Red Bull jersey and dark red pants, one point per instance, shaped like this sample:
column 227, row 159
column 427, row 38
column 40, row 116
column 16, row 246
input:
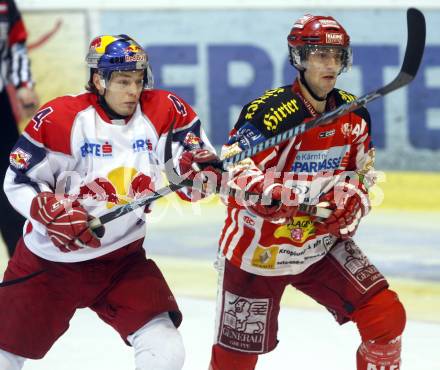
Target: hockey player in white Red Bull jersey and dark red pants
column 79, row 157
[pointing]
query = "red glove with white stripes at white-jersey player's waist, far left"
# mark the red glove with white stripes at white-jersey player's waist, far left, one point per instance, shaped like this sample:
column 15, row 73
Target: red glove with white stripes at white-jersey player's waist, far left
column 65, row 221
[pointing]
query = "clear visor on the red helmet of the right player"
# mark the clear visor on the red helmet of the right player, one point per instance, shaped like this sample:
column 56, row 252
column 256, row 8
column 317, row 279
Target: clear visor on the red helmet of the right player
column 299, row 55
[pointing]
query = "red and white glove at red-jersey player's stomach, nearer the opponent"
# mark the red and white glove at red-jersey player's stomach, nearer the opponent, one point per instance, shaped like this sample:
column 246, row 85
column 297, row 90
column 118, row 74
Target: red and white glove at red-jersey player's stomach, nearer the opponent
column 276, row 202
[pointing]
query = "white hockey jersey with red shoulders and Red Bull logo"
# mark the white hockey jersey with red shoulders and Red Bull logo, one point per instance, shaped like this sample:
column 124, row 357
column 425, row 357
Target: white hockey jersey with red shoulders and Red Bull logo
column 71, row 147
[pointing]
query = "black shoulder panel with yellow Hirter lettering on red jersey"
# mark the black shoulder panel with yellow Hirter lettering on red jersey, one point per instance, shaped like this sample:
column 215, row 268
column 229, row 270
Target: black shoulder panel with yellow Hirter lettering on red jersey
column 275, row 111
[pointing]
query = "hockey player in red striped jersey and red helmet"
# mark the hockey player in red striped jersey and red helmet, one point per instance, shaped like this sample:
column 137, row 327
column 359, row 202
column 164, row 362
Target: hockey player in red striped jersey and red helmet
column 266, row 246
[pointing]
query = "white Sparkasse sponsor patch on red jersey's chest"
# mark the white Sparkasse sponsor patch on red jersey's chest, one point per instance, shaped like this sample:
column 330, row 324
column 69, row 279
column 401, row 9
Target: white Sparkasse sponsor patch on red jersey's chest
column 313, row 161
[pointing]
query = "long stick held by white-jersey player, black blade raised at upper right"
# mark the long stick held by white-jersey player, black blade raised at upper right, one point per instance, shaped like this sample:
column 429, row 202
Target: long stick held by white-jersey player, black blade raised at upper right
column 411, row 62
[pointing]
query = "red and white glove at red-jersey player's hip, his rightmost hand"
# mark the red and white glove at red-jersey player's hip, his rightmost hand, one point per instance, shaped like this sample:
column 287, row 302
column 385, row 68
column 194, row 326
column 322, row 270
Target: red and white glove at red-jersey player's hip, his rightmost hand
column 349, row 204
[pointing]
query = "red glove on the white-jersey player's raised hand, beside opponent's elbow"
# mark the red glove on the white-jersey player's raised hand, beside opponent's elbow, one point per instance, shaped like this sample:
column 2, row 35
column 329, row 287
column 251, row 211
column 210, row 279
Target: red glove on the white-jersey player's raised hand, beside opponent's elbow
column 196, row 165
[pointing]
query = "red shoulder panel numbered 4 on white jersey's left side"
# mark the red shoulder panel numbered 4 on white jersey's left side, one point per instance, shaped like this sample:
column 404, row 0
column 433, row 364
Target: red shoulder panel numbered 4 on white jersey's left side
column 52, row 124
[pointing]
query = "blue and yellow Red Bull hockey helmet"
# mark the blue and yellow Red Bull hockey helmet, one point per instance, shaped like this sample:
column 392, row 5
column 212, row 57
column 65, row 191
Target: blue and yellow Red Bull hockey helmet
column 108, row 54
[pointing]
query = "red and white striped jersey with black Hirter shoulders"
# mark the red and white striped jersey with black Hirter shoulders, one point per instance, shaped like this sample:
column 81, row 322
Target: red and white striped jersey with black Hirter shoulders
column 310, row 163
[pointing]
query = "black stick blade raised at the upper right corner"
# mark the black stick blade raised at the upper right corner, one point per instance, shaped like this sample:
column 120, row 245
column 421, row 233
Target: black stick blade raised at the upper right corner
column 416, row 41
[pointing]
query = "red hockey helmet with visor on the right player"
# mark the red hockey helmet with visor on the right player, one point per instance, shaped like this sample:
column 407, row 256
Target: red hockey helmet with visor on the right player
column 310, row 33
